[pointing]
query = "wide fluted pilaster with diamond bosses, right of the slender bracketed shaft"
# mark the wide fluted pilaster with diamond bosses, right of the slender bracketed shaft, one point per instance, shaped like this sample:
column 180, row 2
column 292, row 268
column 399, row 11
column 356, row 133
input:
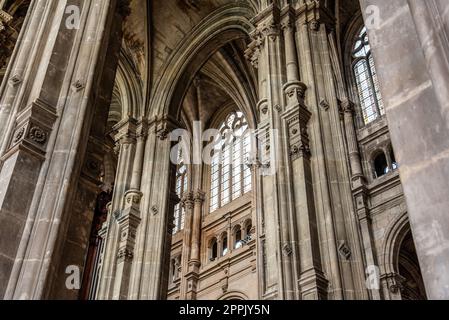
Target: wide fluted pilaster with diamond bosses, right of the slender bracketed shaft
column 337, row 224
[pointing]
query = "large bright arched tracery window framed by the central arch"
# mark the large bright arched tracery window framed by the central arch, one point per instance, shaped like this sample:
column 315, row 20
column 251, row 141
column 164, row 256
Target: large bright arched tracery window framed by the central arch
column 230, row 177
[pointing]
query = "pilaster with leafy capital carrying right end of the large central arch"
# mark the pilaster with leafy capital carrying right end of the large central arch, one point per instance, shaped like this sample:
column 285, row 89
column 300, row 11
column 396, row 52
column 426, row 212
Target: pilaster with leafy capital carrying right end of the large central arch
column 276, row 243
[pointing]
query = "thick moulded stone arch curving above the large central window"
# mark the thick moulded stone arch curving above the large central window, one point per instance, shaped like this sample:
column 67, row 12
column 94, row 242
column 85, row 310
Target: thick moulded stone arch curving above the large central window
column 229, row 23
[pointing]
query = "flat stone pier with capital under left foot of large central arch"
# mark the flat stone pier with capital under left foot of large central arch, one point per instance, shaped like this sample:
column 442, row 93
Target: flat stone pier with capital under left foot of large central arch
column 150, row 273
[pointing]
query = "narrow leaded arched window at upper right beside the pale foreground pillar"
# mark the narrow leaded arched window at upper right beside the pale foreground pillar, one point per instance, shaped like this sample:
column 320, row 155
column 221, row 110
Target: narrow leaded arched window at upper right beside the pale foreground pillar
column 366, row 79
